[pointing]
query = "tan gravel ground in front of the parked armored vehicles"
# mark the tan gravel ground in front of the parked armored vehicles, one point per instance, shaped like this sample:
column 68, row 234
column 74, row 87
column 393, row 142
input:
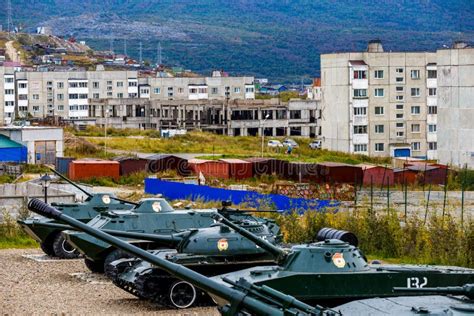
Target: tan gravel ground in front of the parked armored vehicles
column 31, row 287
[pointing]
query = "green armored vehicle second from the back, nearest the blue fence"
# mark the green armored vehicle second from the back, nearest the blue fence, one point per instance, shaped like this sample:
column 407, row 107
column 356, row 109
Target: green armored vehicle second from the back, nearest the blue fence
column 151, row 216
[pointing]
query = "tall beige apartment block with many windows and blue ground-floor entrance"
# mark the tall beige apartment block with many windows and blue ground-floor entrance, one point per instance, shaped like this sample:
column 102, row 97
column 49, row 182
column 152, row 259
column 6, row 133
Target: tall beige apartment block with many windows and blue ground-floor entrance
column 380, row 103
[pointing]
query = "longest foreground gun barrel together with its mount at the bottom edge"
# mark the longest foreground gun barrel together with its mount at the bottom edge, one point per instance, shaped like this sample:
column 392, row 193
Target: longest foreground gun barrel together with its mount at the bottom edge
column 242, row 298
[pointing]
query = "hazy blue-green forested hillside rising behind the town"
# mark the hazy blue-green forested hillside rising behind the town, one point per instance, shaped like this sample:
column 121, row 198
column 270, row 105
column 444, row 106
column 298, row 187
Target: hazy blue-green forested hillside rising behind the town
column 280, row 39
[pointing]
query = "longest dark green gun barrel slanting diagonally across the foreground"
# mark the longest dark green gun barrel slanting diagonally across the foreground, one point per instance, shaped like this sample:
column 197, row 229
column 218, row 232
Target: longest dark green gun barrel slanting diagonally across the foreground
column 237, row 299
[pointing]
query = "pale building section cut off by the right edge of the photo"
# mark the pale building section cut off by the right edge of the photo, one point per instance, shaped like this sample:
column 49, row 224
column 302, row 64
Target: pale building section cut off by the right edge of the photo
column 456, row 105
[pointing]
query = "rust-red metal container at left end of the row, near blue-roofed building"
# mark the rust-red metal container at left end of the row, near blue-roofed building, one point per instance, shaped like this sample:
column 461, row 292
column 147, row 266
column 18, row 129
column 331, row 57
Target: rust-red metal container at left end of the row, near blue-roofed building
column 86, row 169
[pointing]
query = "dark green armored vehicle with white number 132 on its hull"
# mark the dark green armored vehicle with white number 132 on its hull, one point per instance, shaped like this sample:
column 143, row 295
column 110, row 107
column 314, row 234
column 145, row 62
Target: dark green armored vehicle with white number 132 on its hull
column 331, row 272
